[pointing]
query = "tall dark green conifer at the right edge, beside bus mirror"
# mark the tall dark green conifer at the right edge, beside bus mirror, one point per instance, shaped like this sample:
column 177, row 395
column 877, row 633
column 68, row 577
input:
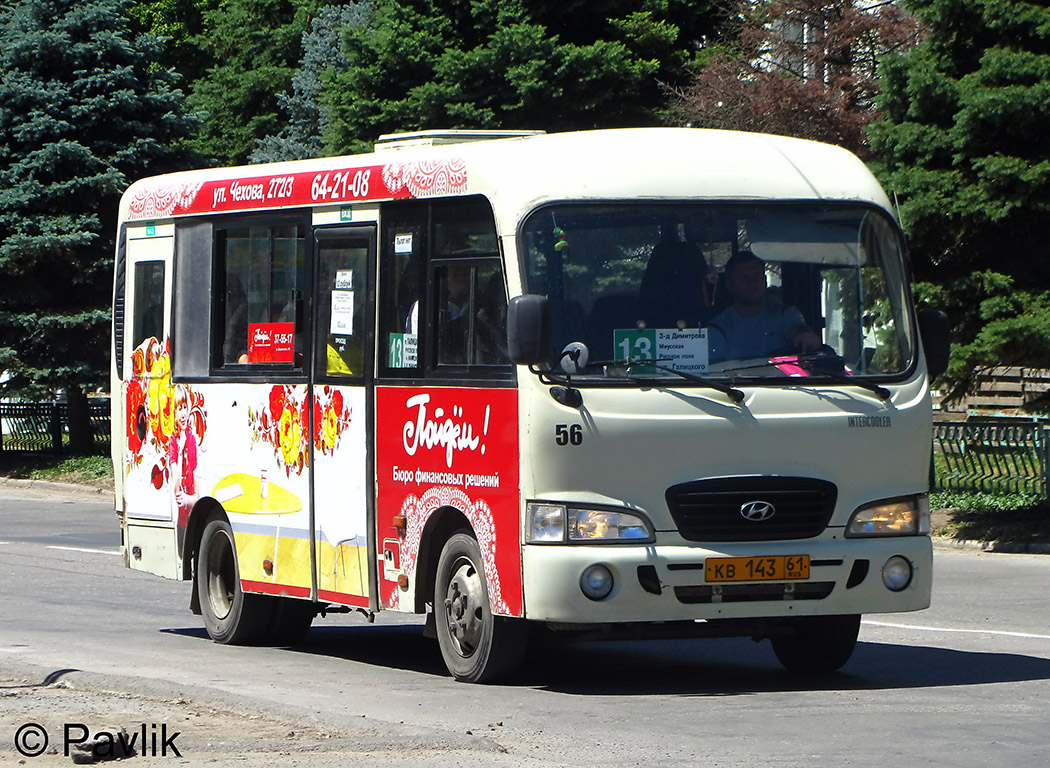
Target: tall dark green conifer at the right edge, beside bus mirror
column 963, row 144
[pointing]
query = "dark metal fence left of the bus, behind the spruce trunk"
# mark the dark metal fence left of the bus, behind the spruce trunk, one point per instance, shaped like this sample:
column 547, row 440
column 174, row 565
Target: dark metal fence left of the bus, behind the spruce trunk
column 43, row 427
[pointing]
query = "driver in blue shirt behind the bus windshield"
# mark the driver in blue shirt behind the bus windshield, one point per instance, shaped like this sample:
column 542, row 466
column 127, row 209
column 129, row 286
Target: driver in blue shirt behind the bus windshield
column 755, row 325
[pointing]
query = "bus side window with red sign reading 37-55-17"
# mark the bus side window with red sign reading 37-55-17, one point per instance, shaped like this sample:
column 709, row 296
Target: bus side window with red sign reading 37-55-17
column 261, row 318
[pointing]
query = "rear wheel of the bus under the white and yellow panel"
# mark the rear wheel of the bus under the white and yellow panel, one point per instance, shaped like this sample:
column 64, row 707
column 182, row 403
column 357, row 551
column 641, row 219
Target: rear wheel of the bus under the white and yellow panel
column 230, row 616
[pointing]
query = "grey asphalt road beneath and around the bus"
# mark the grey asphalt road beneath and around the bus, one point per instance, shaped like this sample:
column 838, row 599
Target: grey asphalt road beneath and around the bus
column 965, row 683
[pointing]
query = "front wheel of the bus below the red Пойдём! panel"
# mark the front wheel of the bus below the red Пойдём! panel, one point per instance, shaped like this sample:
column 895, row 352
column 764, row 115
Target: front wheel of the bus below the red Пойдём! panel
column 477, row 647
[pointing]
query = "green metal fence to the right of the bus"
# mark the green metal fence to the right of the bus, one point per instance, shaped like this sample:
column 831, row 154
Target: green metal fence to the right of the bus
column 992, row 458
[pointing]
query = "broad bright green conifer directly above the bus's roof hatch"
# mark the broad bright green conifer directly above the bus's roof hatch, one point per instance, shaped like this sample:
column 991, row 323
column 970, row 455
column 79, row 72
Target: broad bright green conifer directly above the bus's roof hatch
column 497, row 65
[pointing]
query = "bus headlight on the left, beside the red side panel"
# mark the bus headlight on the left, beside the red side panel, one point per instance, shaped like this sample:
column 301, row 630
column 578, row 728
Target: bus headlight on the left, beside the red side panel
column 560, row 524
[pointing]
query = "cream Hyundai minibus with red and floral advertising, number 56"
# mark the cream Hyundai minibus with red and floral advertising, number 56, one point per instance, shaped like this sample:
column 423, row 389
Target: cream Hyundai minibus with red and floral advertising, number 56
column 491, row 378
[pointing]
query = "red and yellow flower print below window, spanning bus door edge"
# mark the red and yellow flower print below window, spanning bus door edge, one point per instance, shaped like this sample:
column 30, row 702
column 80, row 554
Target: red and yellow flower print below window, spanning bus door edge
column 284, row 424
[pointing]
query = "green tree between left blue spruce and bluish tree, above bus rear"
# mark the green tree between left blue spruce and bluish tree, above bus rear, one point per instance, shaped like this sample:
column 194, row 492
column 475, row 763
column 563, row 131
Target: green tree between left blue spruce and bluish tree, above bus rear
column 254, row 48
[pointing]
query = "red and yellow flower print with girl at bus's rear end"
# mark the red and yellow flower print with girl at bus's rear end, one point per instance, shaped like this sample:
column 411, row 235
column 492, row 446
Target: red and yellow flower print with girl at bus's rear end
column 164, row 422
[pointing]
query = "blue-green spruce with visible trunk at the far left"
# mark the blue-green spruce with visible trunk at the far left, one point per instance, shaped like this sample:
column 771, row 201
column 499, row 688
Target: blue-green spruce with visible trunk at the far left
column 82, row 114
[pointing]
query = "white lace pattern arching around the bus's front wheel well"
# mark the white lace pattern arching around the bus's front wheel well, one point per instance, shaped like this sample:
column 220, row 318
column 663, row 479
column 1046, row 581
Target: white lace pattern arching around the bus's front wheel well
column 417, row 512
